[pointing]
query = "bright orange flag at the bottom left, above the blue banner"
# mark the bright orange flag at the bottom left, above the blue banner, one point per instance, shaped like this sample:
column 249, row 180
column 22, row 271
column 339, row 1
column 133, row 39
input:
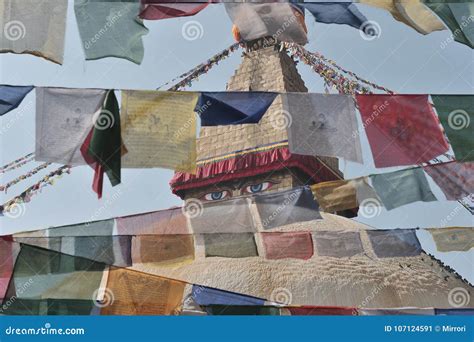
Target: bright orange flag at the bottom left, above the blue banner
column 138, row 293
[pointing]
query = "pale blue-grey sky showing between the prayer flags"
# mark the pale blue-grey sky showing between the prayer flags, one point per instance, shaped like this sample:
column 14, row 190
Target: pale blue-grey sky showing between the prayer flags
column 400, row 59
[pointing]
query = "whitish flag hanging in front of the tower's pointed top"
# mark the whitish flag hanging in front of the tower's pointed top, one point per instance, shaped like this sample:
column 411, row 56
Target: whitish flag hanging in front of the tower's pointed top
column 258, row 20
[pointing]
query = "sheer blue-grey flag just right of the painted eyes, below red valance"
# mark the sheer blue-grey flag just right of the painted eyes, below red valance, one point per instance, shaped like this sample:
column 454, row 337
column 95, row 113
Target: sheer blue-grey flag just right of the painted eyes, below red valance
column 287, row 207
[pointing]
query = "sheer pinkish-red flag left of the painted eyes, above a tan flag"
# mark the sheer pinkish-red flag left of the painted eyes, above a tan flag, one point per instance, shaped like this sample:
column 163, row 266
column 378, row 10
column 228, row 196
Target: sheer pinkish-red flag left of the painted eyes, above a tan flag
column 169, row 221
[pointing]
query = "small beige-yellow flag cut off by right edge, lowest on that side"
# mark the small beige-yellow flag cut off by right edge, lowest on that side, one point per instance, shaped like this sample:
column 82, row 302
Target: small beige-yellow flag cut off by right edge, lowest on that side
column 453, row 238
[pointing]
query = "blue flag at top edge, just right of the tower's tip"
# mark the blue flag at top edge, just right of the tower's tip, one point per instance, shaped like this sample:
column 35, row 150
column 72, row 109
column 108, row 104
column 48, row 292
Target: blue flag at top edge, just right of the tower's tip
column 345, row 13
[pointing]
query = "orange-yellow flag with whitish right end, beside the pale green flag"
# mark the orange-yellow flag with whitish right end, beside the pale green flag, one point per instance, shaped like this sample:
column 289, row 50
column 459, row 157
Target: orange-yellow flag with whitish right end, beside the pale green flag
column 341, row 195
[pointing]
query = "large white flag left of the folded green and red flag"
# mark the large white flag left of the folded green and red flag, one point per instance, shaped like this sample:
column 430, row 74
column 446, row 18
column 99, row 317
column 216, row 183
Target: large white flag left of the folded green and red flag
column 64, row 117
